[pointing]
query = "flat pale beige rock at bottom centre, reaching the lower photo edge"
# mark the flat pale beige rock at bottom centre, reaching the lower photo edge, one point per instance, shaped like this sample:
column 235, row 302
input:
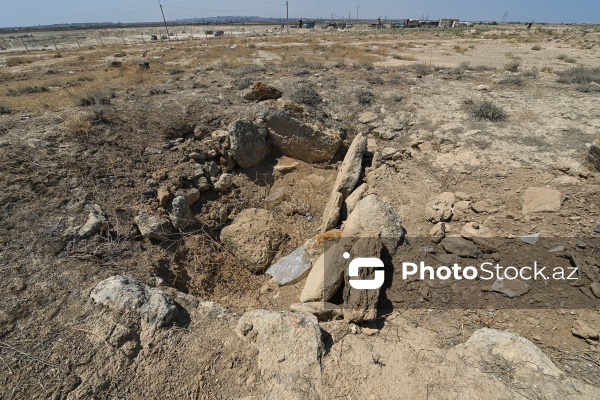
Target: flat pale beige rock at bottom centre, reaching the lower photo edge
column 289, row 351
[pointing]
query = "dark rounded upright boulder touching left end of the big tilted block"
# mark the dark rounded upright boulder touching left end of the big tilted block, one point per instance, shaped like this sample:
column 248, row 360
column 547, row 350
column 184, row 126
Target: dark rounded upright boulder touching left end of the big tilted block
column 248, row 145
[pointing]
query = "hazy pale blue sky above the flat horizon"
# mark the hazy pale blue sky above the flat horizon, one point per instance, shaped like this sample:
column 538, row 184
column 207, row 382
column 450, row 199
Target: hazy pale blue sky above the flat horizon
column 44, row 12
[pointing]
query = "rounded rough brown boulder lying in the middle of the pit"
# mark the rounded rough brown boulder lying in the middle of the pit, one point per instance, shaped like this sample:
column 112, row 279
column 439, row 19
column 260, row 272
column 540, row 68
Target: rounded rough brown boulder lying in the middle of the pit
column 254, row 237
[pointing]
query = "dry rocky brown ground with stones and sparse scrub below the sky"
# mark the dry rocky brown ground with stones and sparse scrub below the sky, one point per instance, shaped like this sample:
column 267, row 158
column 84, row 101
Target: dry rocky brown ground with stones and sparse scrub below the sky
column 146, row 190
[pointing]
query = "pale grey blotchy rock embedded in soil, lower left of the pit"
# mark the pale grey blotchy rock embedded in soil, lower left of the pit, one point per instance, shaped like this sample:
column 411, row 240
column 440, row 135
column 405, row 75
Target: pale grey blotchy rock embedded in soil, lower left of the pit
column 123, row 291
